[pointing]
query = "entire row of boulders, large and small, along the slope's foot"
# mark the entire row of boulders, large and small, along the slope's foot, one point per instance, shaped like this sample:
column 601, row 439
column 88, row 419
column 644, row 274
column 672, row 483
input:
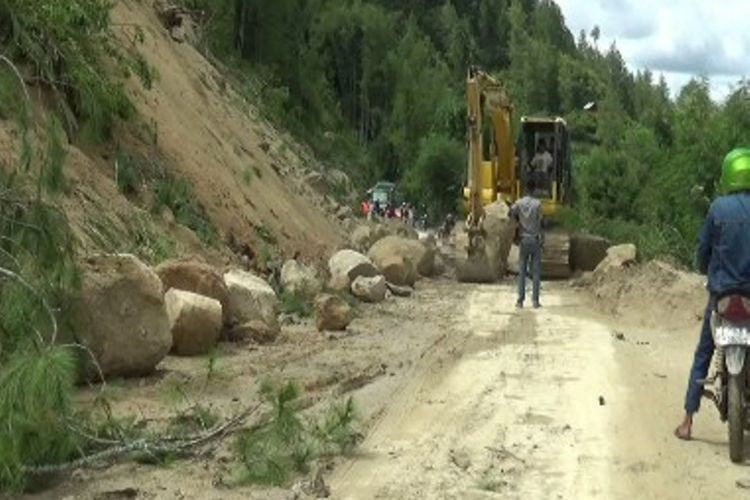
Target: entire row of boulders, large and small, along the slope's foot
column 131, row 316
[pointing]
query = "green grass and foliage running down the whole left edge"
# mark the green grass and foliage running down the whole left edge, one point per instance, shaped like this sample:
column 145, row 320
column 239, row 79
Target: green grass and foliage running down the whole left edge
column 64, row 49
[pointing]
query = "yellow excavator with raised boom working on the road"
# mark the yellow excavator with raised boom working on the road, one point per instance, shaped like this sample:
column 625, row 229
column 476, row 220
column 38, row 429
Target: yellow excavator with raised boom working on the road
column 498, row 170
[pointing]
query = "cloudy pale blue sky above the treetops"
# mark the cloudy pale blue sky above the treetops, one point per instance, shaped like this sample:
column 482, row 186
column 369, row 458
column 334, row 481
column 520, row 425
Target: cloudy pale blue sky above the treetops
column 677, row 38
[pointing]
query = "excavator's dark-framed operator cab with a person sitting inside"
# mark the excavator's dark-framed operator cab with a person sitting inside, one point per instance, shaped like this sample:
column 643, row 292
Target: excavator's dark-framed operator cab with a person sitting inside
column 544, row 155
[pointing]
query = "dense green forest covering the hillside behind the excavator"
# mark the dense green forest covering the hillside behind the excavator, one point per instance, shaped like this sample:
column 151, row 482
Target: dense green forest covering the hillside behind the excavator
column 377, row 87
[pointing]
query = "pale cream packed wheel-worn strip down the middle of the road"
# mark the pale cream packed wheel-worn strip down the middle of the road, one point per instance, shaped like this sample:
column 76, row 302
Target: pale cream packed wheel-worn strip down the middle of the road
column 508, row 406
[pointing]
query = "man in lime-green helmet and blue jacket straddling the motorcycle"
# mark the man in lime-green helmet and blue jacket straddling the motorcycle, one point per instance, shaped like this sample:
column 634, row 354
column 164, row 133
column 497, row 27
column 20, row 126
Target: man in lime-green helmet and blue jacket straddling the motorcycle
column 724, row 255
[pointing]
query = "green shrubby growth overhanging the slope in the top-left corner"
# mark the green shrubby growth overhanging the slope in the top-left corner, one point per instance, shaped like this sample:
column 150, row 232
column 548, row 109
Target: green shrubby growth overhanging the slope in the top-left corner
column 69, row 47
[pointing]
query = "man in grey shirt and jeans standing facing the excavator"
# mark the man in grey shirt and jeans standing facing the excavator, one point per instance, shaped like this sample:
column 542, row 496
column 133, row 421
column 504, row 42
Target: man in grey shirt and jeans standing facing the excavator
column 528, row 212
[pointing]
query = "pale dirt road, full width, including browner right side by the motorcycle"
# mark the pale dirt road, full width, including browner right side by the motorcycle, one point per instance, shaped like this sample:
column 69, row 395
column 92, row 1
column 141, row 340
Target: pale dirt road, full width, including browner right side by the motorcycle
column 550, row 404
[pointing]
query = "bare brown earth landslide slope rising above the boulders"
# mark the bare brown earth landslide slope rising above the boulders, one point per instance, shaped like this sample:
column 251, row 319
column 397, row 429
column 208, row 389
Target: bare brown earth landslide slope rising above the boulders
column 249, row 178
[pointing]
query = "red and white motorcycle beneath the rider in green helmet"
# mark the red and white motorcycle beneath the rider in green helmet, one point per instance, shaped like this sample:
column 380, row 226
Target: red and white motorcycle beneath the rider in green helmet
column 730, row 326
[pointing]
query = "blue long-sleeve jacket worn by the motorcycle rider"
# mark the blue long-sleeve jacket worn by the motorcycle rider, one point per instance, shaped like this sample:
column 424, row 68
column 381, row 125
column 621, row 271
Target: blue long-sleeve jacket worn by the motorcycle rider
column 724, row 249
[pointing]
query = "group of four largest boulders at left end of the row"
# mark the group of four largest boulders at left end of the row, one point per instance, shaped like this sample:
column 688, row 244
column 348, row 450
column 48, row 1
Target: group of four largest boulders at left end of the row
column 131, row 316
